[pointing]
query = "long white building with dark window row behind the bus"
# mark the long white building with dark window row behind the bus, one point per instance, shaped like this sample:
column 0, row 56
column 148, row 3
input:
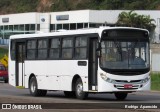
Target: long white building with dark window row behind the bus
column 25, row 23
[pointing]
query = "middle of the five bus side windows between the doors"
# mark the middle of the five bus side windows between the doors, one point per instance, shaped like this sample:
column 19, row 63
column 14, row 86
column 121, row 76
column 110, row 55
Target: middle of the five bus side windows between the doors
column 54, row 48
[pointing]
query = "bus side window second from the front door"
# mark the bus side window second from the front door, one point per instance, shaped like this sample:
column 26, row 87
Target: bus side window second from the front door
column 67, row 46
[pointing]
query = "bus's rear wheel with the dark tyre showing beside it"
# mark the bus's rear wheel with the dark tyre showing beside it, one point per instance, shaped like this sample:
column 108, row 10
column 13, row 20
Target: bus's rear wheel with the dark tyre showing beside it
column 33, row 88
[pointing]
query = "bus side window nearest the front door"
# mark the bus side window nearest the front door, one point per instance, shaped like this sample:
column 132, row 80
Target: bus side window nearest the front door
column 81, row 48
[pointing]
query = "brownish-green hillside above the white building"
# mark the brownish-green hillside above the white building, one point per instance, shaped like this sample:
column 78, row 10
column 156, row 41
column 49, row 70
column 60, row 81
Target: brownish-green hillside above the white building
column 20, row 6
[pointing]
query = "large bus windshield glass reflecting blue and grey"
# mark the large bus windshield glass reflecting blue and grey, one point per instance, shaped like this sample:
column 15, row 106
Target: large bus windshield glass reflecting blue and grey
column 124, row 54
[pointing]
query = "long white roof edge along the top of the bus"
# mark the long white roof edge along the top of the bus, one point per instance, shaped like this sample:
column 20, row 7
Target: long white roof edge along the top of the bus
column 71, row 32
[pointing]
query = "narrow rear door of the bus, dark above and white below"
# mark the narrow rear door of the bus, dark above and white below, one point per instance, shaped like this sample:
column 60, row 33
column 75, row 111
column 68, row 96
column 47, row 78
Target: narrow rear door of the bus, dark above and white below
column 20, row 56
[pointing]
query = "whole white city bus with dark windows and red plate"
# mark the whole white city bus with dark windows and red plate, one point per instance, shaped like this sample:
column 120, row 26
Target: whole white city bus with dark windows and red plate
column 99, row 60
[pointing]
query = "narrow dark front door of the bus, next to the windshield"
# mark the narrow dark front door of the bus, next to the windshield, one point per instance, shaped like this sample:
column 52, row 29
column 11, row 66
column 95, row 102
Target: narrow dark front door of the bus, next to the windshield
column 93, row 64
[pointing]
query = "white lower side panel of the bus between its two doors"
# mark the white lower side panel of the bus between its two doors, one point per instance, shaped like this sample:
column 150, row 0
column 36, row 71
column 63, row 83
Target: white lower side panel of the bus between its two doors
column 57, row 74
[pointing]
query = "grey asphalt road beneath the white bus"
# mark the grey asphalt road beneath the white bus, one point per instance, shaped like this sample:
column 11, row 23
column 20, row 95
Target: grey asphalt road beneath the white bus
column 10, row 94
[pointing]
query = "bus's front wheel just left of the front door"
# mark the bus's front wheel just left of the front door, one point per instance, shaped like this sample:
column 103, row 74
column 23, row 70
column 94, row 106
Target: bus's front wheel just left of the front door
column 80, row 94
